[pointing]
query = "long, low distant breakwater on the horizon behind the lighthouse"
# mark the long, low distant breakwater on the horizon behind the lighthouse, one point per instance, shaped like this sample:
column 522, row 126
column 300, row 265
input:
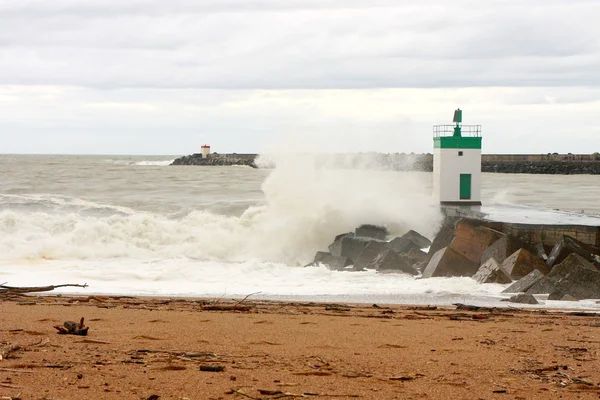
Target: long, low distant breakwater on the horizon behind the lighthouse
column 557, row 164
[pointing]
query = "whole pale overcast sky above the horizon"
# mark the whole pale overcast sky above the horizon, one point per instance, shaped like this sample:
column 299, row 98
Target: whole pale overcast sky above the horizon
column 247, row 76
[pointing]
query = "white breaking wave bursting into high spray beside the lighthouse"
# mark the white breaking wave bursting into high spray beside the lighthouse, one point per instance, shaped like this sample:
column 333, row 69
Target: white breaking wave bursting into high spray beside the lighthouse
column 307, row 203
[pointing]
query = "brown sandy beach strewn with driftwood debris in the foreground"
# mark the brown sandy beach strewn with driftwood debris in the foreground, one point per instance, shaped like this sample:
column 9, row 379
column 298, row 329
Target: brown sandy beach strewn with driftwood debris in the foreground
column 144, row 348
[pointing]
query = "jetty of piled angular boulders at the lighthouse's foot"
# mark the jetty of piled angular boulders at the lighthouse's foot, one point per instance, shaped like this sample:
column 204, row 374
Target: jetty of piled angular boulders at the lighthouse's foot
column 564, row 267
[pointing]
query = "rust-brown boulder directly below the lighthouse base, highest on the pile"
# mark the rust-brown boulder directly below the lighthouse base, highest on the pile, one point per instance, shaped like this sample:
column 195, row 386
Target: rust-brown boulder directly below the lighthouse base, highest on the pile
column 470, row 239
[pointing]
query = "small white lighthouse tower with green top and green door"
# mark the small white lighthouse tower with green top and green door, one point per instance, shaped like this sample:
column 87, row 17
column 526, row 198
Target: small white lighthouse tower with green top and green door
column 457, row 163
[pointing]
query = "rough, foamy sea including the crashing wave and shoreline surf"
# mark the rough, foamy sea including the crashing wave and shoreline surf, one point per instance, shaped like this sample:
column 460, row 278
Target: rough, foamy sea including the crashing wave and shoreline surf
column 134, row 225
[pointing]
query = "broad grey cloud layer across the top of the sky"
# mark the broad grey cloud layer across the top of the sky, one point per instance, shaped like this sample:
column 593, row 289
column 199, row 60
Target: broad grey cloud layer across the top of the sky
column 299, row 44
